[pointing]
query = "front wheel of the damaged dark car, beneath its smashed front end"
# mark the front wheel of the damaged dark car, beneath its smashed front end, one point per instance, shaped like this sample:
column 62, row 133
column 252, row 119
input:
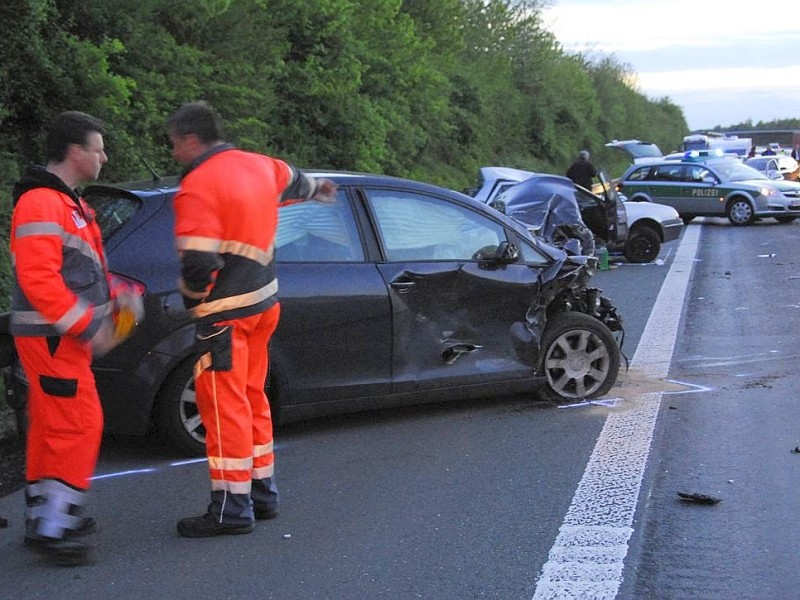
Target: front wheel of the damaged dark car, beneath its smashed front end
column 580, row 357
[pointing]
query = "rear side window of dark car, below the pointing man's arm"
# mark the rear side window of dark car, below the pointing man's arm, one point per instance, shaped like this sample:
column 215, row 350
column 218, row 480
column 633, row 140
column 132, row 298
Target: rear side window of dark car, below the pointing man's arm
column 318, row 232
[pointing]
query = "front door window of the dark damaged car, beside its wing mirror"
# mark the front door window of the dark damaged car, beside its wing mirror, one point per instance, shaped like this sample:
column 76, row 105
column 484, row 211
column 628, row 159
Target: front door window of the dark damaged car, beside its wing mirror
column 414, row 227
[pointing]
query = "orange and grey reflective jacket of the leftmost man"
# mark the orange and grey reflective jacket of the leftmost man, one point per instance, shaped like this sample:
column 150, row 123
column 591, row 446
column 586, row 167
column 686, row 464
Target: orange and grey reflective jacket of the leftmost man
column 61, row 283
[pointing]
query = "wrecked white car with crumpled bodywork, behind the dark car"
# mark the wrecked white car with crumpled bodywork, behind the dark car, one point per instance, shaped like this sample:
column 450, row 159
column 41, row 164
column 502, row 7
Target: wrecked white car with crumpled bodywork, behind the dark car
column 639, row 232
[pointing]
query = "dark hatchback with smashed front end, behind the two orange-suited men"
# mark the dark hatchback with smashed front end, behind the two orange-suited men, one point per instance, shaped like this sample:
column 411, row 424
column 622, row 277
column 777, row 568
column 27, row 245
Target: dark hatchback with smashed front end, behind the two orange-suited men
column 398, row 293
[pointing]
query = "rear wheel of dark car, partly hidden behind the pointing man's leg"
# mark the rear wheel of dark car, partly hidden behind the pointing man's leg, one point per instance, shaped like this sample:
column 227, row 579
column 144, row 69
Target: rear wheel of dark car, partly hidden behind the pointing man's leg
column 178, row 418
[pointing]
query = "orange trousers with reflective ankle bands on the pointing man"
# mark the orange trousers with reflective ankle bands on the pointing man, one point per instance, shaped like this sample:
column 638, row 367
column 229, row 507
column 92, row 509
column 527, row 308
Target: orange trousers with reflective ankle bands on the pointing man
column 235, row 409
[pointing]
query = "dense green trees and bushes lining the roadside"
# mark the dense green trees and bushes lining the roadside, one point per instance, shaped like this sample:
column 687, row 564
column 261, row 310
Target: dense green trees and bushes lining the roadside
column 414, row 88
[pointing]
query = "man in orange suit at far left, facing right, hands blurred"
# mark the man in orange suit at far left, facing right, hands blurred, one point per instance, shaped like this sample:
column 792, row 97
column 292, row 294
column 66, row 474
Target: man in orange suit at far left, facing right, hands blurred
column 62, row 313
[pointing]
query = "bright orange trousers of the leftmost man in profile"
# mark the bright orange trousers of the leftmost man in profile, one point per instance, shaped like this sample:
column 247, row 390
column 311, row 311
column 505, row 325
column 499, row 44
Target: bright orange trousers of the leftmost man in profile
column 65, row 418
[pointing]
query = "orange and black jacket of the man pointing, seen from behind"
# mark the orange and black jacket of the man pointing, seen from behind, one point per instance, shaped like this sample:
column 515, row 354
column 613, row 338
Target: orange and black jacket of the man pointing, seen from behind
column 225, row 233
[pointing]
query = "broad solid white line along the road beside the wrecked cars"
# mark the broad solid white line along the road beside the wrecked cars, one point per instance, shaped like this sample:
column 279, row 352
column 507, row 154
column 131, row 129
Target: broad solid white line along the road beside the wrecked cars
column 586, row 560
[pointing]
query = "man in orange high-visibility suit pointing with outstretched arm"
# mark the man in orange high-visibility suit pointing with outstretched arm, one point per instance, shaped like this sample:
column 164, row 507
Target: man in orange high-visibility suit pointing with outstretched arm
column 226, row 215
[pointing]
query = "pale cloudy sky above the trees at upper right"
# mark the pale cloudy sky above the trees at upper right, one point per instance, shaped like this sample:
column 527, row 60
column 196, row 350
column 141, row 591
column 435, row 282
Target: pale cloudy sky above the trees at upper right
column 722, row 61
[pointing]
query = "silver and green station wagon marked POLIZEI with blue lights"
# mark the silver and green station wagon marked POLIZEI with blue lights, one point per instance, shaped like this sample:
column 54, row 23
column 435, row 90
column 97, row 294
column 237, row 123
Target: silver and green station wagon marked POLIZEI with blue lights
column 697, row 185
